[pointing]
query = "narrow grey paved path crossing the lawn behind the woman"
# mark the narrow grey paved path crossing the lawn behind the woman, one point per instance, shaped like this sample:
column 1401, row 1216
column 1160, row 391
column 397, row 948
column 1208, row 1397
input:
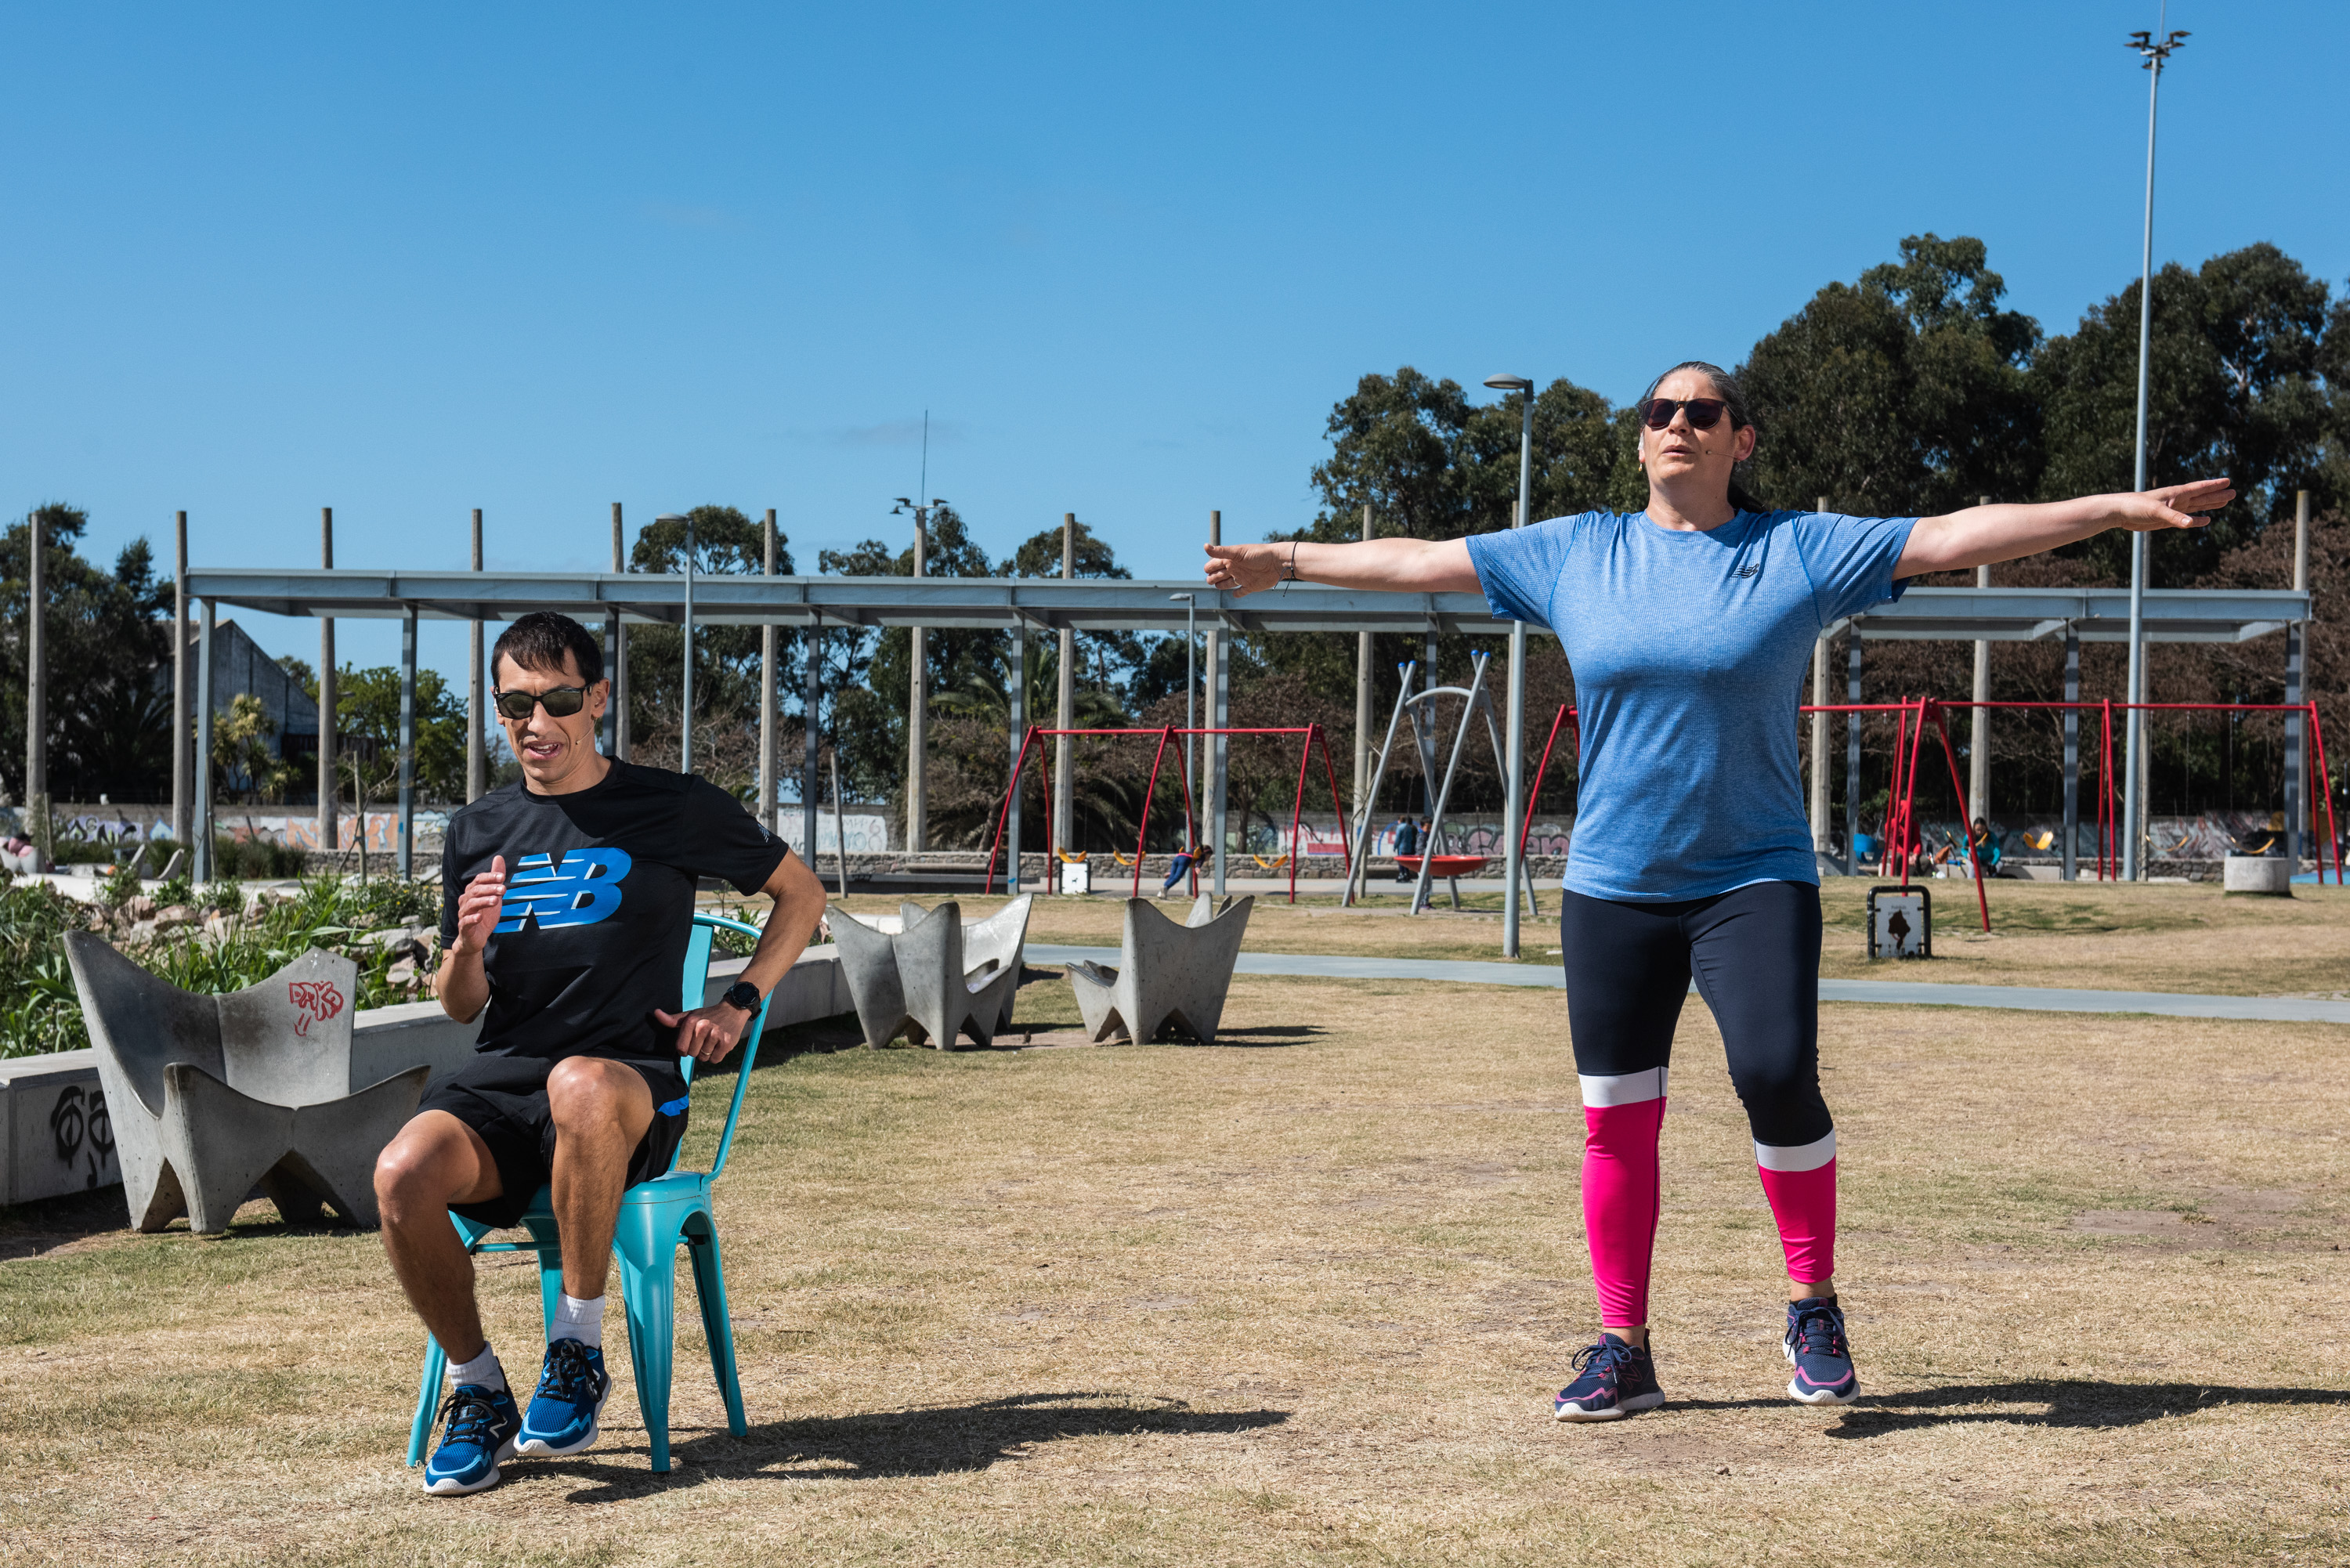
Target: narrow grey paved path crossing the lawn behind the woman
column 1919, row 993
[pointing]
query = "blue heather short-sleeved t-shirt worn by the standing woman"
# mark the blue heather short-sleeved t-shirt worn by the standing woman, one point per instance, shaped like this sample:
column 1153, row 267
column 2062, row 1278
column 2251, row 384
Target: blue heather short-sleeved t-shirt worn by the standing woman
column 1688, row 657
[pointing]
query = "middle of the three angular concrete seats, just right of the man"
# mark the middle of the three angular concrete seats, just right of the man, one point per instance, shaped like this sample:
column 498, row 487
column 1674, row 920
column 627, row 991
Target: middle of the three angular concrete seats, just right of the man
column 932, row 977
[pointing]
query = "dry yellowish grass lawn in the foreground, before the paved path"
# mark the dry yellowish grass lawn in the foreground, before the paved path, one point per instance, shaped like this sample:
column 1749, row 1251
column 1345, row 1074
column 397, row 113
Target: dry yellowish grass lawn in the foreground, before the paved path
column 1303, row 1299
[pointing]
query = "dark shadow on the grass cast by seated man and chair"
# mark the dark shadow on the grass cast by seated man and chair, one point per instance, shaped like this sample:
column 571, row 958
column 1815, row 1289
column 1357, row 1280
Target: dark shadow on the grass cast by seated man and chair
column 922, row 1442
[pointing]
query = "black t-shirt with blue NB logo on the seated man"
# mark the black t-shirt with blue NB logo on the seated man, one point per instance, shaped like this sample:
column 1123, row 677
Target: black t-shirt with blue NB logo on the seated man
column 598, row 904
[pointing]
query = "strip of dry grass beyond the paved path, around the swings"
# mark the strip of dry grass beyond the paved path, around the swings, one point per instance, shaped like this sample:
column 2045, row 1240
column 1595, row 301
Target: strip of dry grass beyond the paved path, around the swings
column 2114, row 937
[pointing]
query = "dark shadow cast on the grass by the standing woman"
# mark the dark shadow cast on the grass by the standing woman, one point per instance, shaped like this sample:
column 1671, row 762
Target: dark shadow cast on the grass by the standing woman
column 2069, row 1402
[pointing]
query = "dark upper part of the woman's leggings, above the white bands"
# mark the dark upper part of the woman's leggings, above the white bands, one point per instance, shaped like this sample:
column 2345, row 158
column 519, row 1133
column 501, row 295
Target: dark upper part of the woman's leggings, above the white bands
column 1754, row 953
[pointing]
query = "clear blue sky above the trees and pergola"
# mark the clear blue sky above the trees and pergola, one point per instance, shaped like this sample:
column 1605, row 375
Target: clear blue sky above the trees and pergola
column 539, row 260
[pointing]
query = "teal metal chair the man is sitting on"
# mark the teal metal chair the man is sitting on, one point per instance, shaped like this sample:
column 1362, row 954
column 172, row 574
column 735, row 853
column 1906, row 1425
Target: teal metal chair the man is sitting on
column 657, row 1219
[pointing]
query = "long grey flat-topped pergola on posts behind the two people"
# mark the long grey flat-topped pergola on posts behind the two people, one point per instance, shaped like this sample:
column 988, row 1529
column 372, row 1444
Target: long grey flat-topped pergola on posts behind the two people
column 1096, row 605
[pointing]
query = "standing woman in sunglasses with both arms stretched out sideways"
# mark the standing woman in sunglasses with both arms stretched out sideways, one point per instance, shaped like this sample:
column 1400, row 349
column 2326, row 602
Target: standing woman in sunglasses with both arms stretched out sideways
column 1688, row 629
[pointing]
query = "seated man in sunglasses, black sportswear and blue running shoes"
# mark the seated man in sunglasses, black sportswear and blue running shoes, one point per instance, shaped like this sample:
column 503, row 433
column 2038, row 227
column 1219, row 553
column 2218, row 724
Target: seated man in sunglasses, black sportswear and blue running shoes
column 568, row 902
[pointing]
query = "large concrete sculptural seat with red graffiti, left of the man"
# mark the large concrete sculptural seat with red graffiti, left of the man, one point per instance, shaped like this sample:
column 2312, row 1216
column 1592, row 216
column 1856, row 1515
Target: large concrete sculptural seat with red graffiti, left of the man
column 215, row 1097
